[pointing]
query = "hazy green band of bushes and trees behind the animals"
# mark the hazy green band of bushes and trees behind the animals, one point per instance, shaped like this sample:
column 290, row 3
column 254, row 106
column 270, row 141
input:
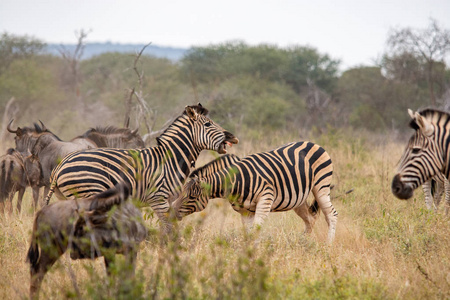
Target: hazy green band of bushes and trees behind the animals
column 247, row 88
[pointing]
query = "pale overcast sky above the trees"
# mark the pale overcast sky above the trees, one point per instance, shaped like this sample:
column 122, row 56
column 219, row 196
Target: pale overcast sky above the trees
column 354, row 31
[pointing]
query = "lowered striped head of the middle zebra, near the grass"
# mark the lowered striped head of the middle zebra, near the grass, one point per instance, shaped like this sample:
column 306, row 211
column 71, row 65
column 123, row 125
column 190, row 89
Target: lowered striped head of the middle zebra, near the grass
column 192, row 198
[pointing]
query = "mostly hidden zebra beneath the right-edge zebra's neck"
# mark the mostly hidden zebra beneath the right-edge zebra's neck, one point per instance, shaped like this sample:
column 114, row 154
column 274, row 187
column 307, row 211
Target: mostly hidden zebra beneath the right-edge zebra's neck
column 433, row 190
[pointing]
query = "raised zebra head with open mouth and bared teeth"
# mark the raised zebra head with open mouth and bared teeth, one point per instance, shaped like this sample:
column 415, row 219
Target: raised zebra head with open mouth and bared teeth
column 208, row 135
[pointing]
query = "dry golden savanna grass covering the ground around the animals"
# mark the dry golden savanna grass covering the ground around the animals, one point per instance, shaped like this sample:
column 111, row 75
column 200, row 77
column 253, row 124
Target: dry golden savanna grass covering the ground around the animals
column 384, row 248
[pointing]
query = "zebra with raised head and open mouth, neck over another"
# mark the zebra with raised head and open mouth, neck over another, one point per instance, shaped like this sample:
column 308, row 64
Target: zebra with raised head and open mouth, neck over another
column 154, row 173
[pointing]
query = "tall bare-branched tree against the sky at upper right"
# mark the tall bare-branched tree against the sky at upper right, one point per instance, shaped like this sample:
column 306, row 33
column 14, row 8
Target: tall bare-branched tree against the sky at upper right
column 430, row 44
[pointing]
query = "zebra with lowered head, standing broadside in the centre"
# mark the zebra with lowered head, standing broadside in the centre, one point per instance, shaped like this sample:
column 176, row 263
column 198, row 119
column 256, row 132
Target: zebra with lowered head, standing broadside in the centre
column 277, row 180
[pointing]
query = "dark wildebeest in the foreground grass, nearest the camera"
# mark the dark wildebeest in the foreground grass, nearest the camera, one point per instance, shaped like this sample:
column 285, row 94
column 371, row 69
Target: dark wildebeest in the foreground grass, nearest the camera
column 84, row 227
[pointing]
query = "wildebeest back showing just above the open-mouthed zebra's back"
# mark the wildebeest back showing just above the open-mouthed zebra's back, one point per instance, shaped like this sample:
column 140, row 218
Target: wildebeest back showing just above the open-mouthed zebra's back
column 113, row 137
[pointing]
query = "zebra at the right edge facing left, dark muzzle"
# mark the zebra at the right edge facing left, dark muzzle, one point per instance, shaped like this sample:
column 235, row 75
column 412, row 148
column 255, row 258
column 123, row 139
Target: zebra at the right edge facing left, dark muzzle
column 427, row 153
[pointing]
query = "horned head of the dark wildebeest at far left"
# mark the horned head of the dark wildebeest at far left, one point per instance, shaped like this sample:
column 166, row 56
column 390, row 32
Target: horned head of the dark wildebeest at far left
column 26, row 137
